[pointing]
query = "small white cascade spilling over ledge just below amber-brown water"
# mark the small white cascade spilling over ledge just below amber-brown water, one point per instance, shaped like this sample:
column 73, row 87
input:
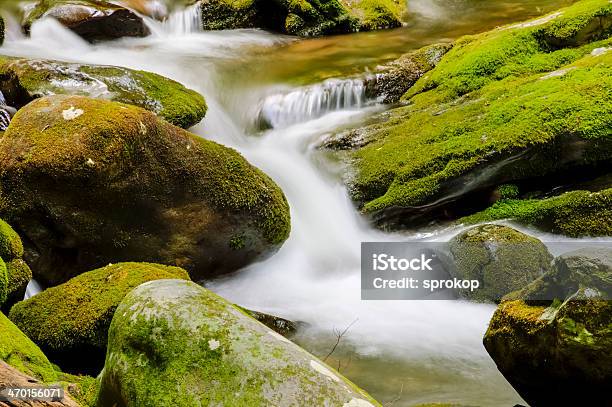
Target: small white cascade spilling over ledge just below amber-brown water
column 311, row 102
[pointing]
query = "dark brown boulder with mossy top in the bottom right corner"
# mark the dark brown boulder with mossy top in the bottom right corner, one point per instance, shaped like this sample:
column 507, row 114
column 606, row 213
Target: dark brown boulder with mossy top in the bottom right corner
column 552, row 339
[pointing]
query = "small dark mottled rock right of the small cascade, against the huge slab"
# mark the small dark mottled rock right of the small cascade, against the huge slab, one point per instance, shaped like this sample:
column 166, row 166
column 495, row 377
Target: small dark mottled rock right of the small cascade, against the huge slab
column 395, row 78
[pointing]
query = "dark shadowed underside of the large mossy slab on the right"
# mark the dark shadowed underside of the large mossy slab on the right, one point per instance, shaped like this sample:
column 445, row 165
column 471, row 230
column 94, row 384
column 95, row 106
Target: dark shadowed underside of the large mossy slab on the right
column 476, row 191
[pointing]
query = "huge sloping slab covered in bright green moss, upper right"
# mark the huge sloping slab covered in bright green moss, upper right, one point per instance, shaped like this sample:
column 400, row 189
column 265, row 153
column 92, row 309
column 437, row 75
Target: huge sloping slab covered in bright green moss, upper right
column 507, row 106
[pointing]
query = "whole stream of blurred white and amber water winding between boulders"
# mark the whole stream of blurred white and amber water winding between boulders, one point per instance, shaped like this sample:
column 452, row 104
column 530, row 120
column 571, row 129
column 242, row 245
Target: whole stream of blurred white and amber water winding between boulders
column 403, row 352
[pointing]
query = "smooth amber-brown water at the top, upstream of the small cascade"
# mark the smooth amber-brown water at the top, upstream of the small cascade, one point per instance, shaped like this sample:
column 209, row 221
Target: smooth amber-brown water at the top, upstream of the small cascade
column 427, row 22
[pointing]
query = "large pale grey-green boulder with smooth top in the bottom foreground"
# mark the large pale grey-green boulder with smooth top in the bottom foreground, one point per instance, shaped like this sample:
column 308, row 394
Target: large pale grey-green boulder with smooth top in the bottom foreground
column 174, row 343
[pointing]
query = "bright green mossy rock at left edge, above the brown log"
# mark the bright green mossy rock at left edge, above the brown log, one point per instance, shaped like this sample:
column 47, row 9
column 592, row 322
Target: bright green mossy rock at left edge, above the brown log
column 19, row 351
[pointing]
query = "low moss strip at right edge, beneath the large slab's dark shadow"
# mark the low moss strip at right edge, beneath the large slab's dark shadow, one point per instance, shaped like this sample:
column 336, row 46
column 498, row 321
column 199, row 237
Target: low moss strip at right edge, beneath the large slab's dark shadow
column 575, row 214
